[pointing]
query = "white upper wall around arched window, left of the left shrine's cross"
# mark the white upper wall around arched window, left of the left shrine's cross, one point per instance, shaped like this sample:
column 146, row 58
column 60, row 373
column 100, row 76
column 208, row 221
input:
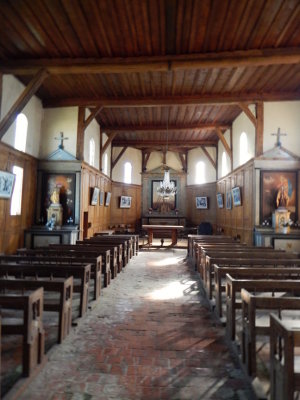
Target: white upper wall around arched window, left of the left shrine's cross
column 12, row 88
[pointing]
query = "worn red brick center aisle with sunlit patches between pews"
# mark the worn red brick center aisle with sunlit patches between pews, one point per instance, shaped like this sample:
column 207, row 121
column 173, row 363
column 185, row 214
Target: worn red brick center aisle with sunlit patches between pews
column 151, row 336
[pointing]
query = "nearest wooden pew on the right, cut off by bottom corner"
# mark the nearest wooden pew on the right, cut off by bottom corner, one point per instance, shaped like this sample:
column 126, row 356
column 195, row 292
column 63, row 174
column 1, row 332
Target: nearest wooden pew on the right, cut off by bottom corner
column 285, row 371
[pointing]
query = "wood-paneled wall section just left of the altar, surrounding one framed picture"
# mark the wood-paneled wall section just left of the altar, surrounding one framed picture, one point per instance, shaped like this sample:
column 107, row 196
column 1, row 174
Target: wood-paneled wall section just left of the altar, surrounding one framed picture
column 130, row 215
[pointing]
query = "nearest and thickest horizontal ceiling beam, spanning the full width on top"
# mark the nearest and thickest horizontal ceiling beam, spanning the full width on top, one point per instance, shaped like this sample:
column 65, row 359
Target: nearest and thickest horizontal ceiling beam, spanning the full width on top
column 229, row 59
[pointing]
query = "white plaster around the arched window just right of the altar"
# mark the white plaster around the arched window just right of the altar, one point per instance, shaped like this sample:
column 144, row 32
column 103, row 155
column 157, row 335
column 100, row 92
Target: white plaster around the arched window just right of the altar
column 196, row 155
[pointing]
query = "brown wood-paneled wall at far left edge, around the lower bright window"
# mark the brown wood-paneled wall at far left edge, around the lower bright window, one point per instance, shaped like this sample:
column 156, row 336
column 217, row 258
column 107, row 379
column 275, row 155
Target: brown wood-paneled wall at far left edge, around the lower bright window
column 12, row 227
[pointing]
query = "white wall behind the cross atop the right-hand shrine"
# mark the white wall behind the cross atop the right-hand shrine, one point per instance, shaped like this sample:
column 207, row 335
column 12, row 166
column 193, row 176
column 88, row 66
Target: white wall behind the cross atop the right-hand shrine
column 286, row 116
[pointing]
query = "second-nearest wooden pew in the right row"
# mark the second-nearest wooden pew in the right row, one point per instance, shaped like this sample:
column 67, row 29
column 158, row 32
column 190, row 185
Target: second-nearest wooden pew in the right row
column 251, row 304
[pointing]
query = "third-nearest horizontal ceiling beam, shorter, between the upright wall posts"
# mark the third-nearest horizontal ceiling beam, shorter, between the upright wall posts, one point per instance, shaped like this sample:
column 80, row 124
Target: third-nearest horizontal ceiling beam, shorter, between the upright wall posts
column 163, row 128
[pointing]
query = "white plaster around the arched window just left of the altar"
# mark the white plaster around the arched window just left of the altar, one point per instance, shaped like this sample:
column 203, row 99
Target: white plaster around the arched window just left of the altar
column 133, row 156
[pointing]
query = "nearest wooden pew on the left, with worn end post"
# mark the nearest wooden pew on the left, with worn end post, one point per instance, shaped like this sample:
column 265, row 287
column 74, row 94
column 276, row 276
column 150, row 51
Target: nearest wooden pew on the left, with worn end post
column 31, row 326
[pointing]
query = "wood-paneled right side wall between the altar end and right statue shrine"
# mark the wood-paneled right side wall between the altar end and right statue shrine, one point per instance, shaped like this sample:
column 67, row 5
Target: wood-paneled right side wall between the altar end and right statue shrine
column 239, row 220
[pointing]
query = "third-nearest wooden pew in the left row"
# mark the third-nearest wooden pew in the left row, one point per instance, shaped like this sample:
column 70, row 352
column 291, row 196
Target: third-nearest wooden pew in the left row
column 80, row 272
